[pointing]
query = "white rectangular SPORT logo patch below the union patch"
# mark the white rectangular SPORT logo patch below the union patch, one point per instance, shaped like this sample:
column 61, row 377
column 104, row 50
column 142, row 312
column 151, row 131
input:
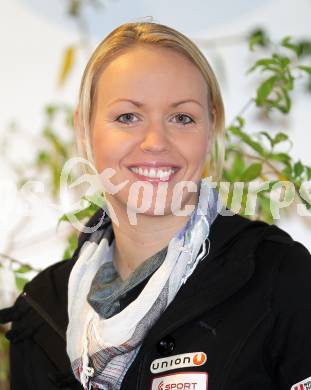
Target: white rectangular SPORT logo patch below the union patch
column 181, row 381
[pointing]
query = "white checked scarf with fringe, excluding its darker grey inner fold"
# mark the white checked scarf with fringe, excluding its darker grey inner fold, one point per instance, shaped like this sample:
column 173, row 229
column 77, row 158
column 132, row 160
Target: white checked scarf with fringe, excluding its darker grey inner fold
column 101, row 350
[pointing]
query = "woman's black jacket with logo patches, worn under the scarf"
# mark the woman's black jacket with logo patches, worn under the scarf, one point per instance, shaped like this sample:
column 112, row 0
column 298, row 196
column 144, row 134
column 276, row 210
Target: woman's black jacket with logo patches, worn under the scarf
column 247, row 306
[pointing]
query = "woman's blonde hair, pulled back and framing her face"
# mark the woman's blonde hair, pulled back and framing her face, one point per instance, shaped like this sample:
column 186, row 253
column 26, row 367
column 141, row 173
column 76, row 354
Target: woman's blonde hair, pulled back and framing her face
column 127, row 36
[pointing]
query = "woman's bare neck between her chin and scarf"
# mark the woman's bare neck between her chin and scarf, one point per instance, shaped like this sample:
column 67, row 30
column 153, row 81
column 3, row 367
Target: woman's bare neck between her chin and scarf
column 136, row 243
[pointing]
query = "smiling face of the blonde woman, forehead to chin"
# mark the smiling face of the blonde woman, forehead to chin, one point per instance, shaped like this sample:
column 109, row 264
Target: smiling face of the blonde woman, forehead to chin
column 151, row 123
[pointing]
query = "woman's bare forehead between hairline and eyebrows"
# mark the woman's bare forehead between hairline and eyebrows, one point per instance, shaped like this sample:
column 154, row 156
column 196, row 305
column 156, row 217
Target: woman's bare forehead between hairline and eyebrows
column 147, row 71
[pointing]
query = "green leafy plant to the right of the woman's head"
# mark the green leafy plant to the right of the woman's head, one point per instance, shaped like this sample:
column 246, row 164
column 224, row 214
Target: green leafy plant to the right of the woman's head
column 257, row 155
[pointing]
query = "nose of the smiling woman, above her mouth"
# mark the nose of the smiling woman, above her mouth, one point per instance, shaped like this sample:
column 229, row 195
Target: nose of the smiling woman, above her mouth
column 155, row 139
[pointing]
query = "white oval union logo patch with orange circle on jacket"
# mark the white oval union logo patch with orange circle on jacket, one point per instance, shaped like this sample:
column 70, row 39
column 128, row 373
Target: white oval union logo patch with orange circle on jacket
column 193, row 359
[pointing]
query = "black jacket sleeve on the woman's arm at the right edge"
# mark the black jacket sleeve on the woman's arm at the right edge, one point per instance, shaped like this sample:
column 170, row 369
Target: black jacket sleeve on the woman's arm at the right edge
column 290, row 343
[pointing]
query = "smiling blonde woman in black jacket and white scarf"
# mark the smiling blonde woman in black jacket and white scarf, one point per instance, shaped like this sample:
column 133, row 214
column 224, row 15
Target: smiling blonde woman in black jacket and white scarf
column 167, row 289
